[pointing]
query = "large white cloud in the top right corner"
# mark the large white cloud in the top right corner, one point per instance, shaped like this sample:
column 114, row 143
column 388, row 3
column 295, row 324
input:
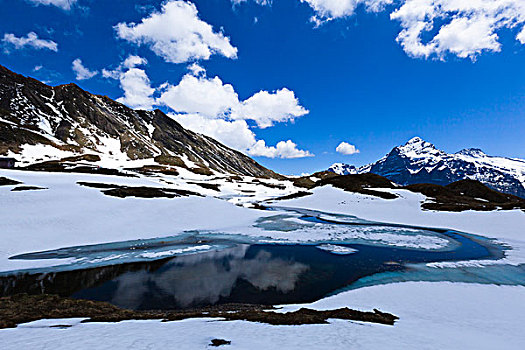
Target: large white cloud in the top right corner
column 463, row 28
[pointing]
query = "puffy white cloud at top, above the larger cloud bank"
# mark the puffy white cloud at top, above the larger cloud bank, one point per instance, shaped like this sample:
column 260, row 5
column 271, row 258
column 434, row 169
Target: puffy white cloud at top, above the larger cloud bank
column 177, row 34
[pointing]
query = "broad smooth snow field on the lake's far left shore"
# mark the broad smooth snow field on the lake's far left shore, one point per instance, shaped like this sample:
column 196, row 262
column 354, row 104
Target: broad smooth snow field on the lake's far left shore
column 67, row 214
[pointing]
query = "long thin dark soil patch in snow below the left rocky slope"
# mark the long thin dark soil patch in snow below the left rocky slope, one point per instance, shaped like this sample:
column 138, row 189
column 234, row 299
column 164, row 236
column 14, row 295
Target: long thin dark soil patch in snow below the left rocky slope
column 138, row 191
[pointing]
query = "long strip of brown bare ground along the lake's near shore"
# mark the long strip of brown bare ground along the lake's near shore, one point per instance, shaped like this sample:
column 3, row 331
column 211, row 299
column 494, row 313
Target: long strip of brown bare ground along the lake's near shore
column 22, row 308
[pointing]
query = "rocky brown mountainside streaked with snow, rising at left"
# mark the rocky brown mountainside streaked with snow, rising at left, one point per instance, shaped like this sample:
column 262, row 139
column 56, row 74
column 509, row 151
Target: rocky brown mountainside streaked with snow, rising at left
column 66, row 118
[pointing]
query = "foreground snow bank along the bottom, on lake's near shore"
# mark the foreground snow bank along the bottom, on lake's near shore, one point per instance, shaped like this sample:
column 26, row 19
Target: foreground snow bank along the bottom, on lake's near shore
column 432, row 316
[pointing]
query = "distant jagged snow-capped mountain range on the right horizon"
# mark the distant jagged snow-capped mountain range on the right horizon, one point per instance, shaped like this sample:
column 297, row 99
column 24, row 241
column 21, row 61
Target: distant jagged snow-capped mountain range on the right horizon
column 419, row 161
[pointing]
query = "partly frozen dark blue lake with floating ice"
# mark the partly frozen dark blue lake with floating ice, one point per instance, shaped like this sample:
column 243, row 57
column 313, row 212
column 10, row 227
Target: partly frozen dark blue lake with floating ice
column 198, row 269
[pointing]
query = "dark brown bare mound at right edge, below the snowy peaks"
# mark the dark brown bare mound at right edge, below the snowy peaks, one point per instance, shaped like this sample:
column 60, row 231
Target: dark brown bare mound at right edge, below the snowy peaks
column 466, row 195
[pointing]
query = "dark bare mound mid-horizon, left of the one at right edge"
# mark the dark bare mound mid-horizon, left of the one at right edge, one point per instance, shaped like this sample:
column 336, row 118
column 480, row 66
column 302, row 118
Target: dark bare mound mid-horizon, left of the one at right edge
column 360, row 183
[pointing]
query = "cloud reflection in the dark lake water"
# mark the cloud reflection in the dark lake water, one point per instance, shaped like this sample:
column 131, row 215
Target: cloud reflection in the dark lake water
column 206, row 277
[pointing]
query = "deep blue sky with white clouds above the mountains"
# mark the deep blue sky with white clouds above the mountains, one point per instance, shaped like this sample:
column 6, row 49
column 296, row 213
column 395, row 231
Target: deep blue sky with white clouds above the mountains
column 341, row 76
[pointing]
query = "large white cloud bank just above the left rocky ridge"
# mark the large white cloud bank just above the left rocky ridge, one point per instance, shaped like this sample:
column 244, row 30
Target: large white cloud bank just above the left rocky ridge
column 211, row 107
